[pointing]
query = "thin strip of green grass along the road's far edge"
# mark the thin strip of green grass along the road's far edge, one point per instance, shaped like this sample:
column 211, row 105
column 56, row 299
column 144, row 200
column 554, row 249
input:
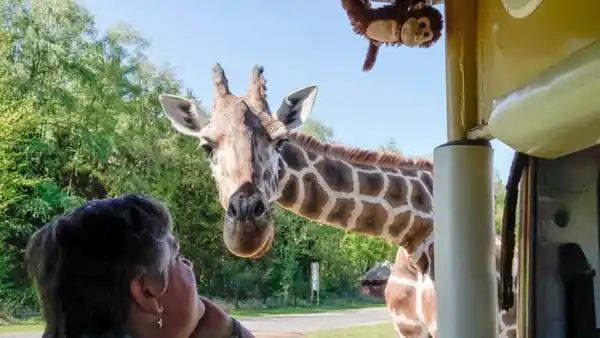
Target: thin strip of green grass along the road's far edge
column 37, row 325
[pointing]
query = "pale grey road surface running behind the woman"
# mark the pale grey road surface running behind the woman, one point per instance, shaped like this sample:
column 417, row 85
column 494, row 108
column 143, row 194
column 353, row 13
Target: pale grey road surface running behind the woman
column 294, row 323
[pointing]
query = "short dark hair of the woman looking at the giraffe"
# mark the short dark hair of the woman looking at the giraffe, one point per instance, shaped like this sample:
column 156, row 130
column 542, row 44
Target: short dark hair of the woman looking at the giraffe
column 82, row 263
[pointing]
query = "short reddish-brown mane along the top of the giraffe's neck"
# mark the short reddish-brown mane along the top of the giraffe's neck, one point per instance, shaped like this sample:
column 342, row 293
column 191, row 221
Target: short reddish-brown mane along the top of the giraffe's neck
column 356, row 155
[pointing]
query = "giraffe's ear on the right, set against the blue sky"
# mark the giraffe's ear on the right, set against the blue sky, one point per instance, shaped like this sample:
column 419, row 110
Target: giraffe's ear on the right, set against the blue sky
column 297, row 106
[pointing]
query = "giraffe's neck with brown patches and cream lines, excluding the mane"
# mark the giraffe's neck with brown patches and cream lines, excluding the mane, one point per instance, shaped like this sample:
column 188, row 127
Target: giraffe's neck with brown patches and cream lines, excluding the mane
column 394, row 203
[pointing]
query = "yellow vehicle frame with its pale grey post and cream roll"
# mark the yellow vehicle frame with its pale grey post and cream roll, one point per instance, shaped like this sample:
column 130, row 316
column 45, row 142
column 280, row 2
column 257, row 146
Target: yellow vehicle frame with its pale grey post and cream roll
column 525, row 72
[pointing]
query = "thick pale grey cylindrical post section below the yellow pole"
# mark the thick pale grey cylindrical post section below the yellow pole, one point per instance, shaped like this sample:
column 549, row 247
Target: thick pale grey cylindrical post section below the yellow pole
column 464, row 240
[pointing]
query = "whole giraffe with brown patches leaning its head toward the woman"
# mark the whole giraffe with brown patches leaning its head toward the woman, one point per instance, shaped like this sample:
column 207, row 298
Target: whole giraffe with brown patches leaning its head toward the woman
column 258, row 159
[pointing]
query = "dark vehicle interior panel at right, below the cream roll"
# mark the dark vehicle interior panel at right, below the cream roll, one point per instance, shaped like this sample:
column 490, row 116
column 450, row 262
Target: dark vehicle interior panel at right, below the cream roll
column 561, row 238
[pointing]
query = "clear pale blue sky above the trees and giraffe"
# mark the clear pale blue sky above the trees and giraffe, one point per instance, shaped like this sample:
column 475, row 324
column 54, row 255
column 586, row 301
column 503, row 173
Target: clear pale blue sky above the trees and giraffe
column 301, row 43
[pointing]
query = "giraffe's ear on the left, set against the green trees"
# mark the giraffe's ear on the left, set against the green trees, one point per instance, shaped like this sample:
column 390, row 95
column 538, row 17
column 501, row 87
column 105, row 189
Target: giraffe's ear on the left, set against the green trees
column 184, row 114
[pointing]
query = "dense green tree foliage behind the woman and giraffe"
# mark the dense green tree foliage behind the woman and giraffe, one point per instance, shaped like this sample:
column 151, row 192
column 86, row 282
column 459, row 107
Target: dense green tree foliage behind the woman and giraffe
column 80, row 119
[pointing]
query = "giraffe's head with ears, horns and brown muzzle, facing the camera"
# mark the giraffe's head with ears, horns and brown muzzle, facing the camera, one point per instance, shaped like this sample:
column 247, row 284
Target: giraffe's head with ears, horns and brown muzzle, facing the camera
column 242, row 142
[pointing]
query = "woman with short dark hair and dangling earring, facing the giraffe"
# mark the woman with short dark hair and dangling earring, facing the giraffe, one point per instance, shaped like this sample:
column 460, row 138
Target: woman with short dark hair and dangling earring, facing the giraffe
column 112, row 268
